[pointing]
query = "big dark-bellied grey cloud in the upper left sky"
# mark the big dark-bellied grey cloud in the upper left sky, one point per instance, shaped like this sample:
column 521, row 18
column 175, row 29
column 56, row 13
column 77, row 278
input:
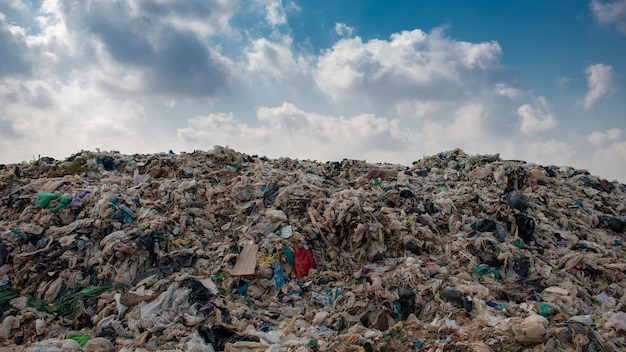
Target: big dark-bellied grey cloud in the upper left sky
column 161, row 48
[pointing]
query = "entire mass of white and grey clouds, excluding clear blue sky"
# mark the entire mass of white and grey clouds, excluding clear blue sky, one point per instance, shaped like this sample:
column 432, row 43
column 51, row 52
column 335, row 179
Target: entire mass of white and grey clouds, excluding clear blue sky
column 142, row 76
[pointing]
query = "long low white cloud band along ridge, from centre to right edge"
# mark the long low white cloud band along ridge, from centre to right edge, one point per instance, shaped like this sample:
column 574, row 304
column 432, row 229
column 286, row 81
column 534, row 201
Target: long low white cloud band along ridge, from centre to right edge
column 287, row 130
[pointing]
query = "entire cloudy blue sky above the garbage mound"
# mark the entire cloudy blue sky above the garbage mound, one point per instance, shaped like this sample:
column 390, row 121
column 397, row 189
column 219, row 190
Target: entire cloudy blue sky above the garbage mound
column 540, row 81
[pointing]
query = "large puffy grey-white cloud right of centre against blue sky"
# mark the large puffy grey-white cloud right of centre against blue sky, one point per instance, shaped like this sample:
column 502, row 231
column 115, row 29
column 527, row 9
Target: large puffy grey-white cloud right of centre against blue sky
column 410, row 63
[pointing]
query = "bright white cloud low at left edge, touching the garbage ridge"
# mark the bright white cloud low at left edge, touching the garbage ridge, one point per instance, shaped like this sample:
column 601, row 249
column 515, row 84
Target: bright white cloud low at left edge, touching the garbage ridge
column 83, row 118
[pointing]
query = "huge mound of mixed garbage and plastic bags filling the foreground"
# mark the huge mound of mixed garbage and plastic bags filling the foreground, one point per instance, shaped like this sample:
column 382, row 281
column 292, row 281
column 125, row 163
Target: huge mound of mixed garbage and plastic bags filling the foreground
column 223, row 251
